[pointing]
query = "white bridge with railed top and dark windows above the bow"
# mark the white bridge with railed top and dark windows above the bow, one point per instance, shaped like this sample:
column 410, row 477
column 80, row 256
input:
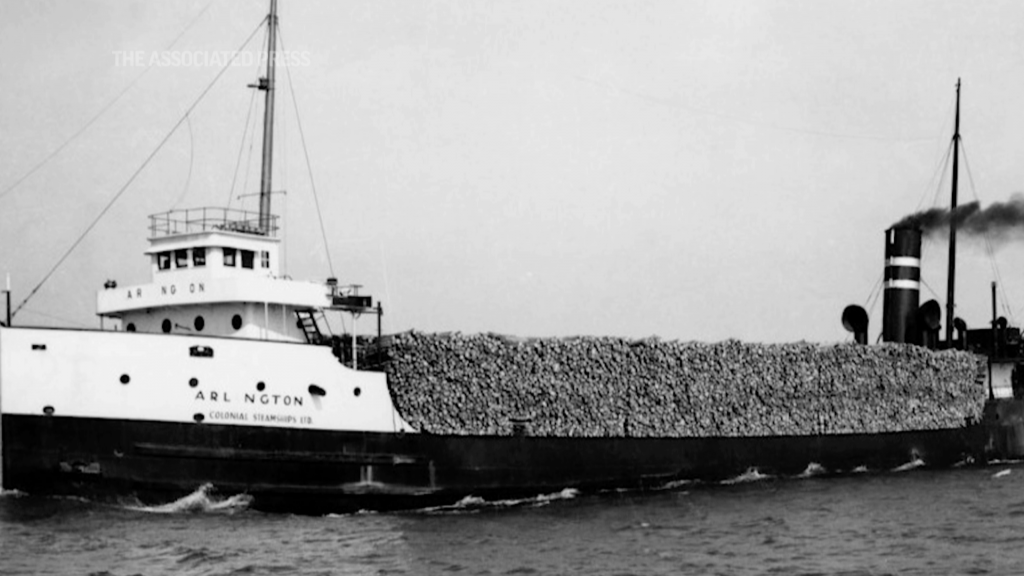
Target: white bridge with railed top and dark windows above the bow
column 218, row 272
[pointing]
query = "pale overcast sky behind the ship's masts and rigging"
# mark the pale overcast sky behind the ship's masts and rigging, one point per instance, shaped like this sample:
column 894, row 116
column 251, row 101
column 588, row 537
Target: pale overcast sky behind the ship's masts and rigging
column 692, row 171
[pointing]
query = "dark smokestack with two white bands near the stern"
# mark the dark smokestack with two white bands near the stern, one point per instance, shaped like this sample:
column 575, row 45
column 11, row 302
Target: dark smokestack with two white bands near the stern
column 903, row 285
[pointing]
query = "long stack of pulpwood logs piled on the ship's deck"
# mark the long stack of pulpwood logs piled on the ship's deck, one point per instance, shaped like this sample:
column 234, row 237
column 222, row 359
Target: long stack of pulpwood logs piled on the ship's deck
column 608, row 387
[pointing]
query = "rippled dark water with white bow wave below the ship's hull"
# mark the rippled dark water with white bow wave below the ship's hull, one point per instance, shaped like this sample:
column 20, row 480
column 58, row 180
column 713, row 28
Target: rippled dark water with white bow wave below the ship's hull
column 968, row 521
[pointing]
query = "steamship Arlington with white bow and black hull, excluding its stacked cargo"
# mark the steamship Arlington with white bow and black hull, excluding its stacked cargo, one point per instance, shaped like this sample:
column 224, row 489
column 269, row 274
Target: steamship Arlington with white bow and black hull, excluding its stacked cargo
column 221, row 374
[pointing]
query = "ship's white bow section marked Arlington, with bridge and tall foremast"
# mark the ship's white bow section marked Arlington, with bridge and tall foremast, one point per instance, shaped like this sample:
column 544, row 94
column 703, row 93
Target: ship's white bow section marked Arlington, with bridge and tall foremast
column 219, row 336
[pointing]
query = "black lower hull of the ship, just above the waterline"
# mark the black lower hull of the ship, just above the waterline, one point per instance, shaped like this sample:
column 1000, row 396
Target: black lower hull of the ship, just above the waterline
column 322, row 472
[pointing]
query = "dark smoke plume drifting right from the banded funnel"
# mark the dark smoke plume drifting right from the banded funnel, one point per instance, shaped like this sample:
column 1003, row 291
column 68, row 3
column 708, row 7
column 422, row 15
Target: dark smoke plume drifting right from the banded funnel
column 1000, row 222
